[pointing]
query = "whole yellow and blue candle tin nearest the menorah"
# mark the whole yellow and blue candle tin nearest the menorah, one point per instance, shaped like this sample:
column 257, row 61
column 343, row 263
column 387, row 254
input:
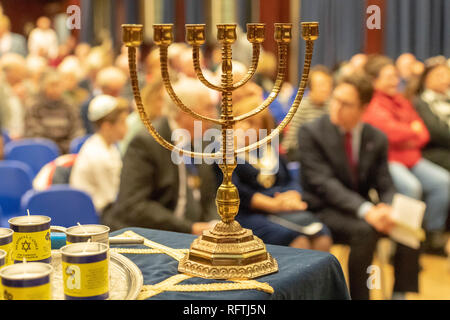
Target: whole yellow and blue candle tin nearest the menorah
column 85, row 268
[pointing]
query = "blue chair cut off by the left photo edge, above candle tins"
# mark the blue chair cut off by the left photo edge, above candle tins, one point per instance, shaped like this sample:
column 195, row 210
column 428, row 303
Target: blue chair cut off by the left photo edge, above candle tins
column 15, row 180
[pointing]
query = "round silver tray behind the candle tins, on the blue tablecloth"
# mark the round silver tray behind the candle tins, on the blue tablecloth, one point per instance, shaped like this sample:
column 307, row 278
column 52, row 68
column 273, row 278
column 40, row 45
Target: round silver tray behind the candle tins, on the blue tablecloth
column 125, row 278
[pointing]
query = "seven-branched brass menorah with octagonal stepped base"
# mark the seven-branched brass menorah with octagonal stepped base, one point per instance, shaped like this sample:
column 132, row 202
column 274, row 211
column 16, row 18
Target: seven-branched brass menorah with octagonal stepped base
column 227, row 251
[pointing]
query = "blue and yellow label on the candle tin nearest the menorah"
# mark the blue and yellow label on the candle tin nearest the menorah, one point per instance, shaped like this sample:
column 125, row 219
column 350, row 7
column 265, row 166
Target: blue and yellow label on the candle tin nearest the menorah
column 86, row 280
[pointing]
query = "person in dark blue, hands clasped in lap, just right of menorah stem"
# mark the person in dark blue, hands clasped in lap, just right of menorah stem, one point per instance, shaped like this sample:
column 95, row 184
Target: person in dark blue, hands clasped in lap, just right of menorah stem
column 271, row 202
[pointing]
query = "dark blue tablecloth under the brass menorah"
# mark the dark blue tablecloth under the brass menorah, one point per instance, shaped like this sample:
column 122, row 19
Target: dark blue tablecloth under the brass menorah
column 303, row 274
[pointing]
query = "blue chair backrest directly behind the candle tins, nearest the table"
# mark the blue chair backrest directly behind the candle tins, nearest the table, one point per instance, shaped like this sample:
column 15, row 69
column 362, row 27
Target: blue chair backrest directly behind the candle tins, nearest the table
column 63, row 204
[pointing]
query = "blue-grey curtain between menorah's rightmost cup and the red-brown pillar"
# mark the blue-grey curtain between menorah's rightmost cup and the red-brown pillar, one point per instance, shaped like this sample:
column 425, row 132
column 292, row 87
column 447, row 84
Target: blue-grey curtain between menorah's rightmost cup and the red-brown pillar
column 341, row 29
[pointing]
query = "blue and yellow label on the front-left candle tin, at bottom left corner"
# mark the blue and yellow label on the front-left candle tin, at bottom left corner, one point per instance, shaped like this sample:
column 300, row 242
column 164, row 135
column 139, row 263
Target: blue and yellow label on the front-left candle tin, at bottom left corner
column 36, row 289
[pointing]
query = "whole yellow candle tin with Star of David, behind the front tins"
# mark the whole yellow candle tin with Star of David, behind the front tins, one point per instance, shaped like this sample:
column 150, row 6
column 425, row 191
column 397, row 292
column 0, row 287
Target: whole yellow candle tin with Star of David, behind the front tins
column 31, row 238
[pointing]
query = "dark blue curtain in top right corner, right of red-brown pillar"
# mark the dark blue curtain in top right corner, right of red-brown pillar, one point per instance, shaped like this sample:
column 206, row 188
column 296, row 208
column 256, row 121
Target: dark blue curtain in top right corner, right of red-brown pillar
column 417, row 26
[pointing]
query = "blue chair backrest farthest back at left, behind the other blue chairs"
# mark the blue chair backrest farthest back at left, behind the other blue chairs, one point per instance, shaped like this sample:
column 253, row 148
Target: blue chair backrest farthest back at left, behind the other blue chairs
column 35, row 152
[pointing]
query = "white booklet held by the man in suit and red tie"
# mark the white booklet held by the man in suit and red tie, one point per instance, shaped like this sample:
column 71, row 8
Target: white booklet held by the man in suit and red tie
column 408, row 215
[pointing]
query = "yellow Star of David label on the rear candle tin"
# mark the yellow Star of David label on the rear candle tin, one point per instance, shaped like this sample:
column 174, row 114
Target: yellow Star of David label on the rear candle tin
column 33, row 246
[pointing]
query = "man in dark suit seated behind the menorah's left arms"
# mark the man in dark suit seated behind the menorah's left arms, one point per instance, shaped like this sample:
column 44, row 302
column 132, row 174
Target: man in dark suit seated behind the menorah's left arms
column 155, row 192
